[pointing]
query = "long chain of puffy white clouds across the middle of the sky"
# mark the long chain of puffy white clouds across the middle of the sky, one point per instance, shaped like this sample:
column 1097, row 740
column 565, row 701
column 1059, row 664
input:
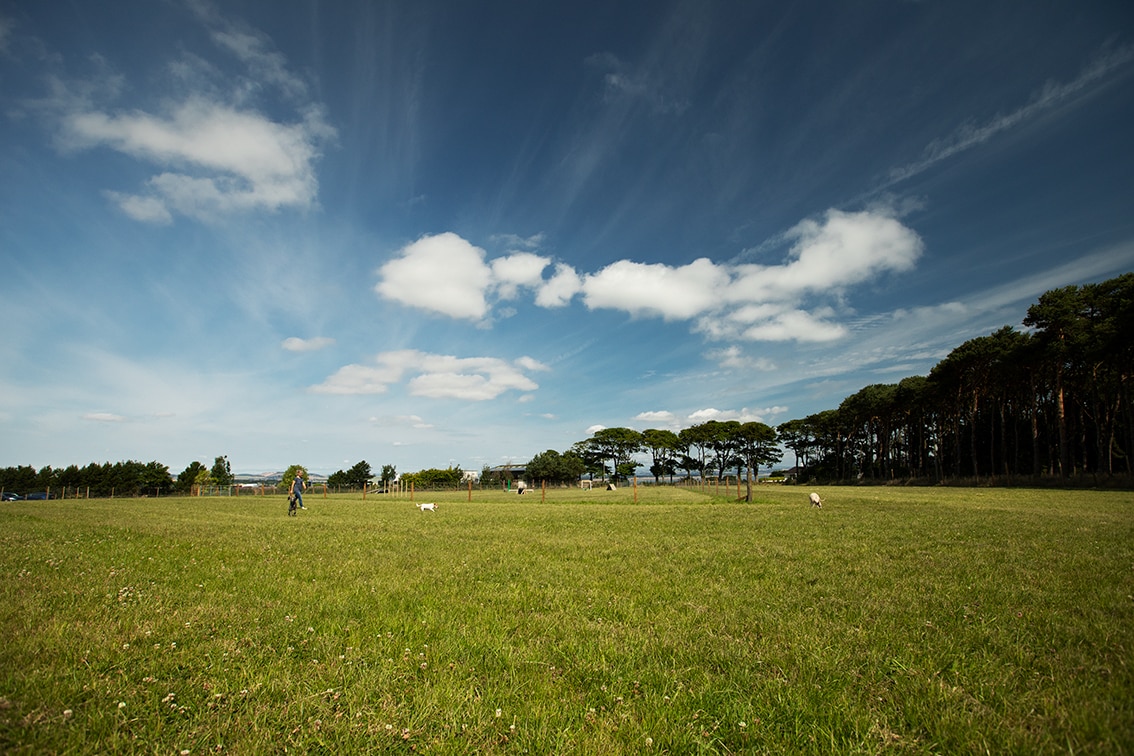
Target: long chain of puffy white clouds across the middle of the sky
column 784, row 302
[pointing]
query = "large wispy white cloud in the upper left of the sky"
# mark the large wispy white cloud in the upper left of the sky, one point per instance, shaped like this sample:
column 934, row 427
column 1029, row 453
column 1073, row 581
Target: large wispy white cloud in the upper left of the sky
column 215, row 154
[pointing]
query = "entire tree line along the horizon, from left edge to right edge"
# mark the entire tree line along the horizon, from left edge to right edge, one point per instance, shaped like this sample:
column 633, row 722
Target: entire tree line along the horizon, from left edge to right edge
column 1050, row 402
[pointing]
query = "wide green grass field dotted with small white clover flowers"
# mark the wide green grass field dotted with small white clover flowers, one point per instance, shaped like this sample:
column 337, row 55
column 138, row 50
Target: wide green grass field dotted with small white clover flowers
column 893, row 621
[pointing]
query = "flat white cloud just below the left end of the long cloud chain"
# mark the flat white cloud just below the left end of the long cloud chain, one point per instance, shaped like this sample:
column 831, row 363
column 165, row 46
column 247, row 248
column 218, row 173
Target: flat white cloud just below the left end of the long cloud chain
column 437, row 377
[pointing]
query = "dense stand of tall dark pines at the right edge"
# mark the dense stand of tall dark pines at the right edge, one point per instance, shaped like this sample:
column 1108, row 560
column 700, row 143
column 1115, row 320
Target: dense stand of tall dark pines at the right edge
column 1052, row 402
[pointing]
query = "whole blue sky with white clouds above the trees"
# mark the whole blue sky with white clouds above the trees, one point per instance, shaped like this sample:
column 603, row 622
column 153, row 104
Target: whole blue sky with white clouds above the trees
column 444, row 234
